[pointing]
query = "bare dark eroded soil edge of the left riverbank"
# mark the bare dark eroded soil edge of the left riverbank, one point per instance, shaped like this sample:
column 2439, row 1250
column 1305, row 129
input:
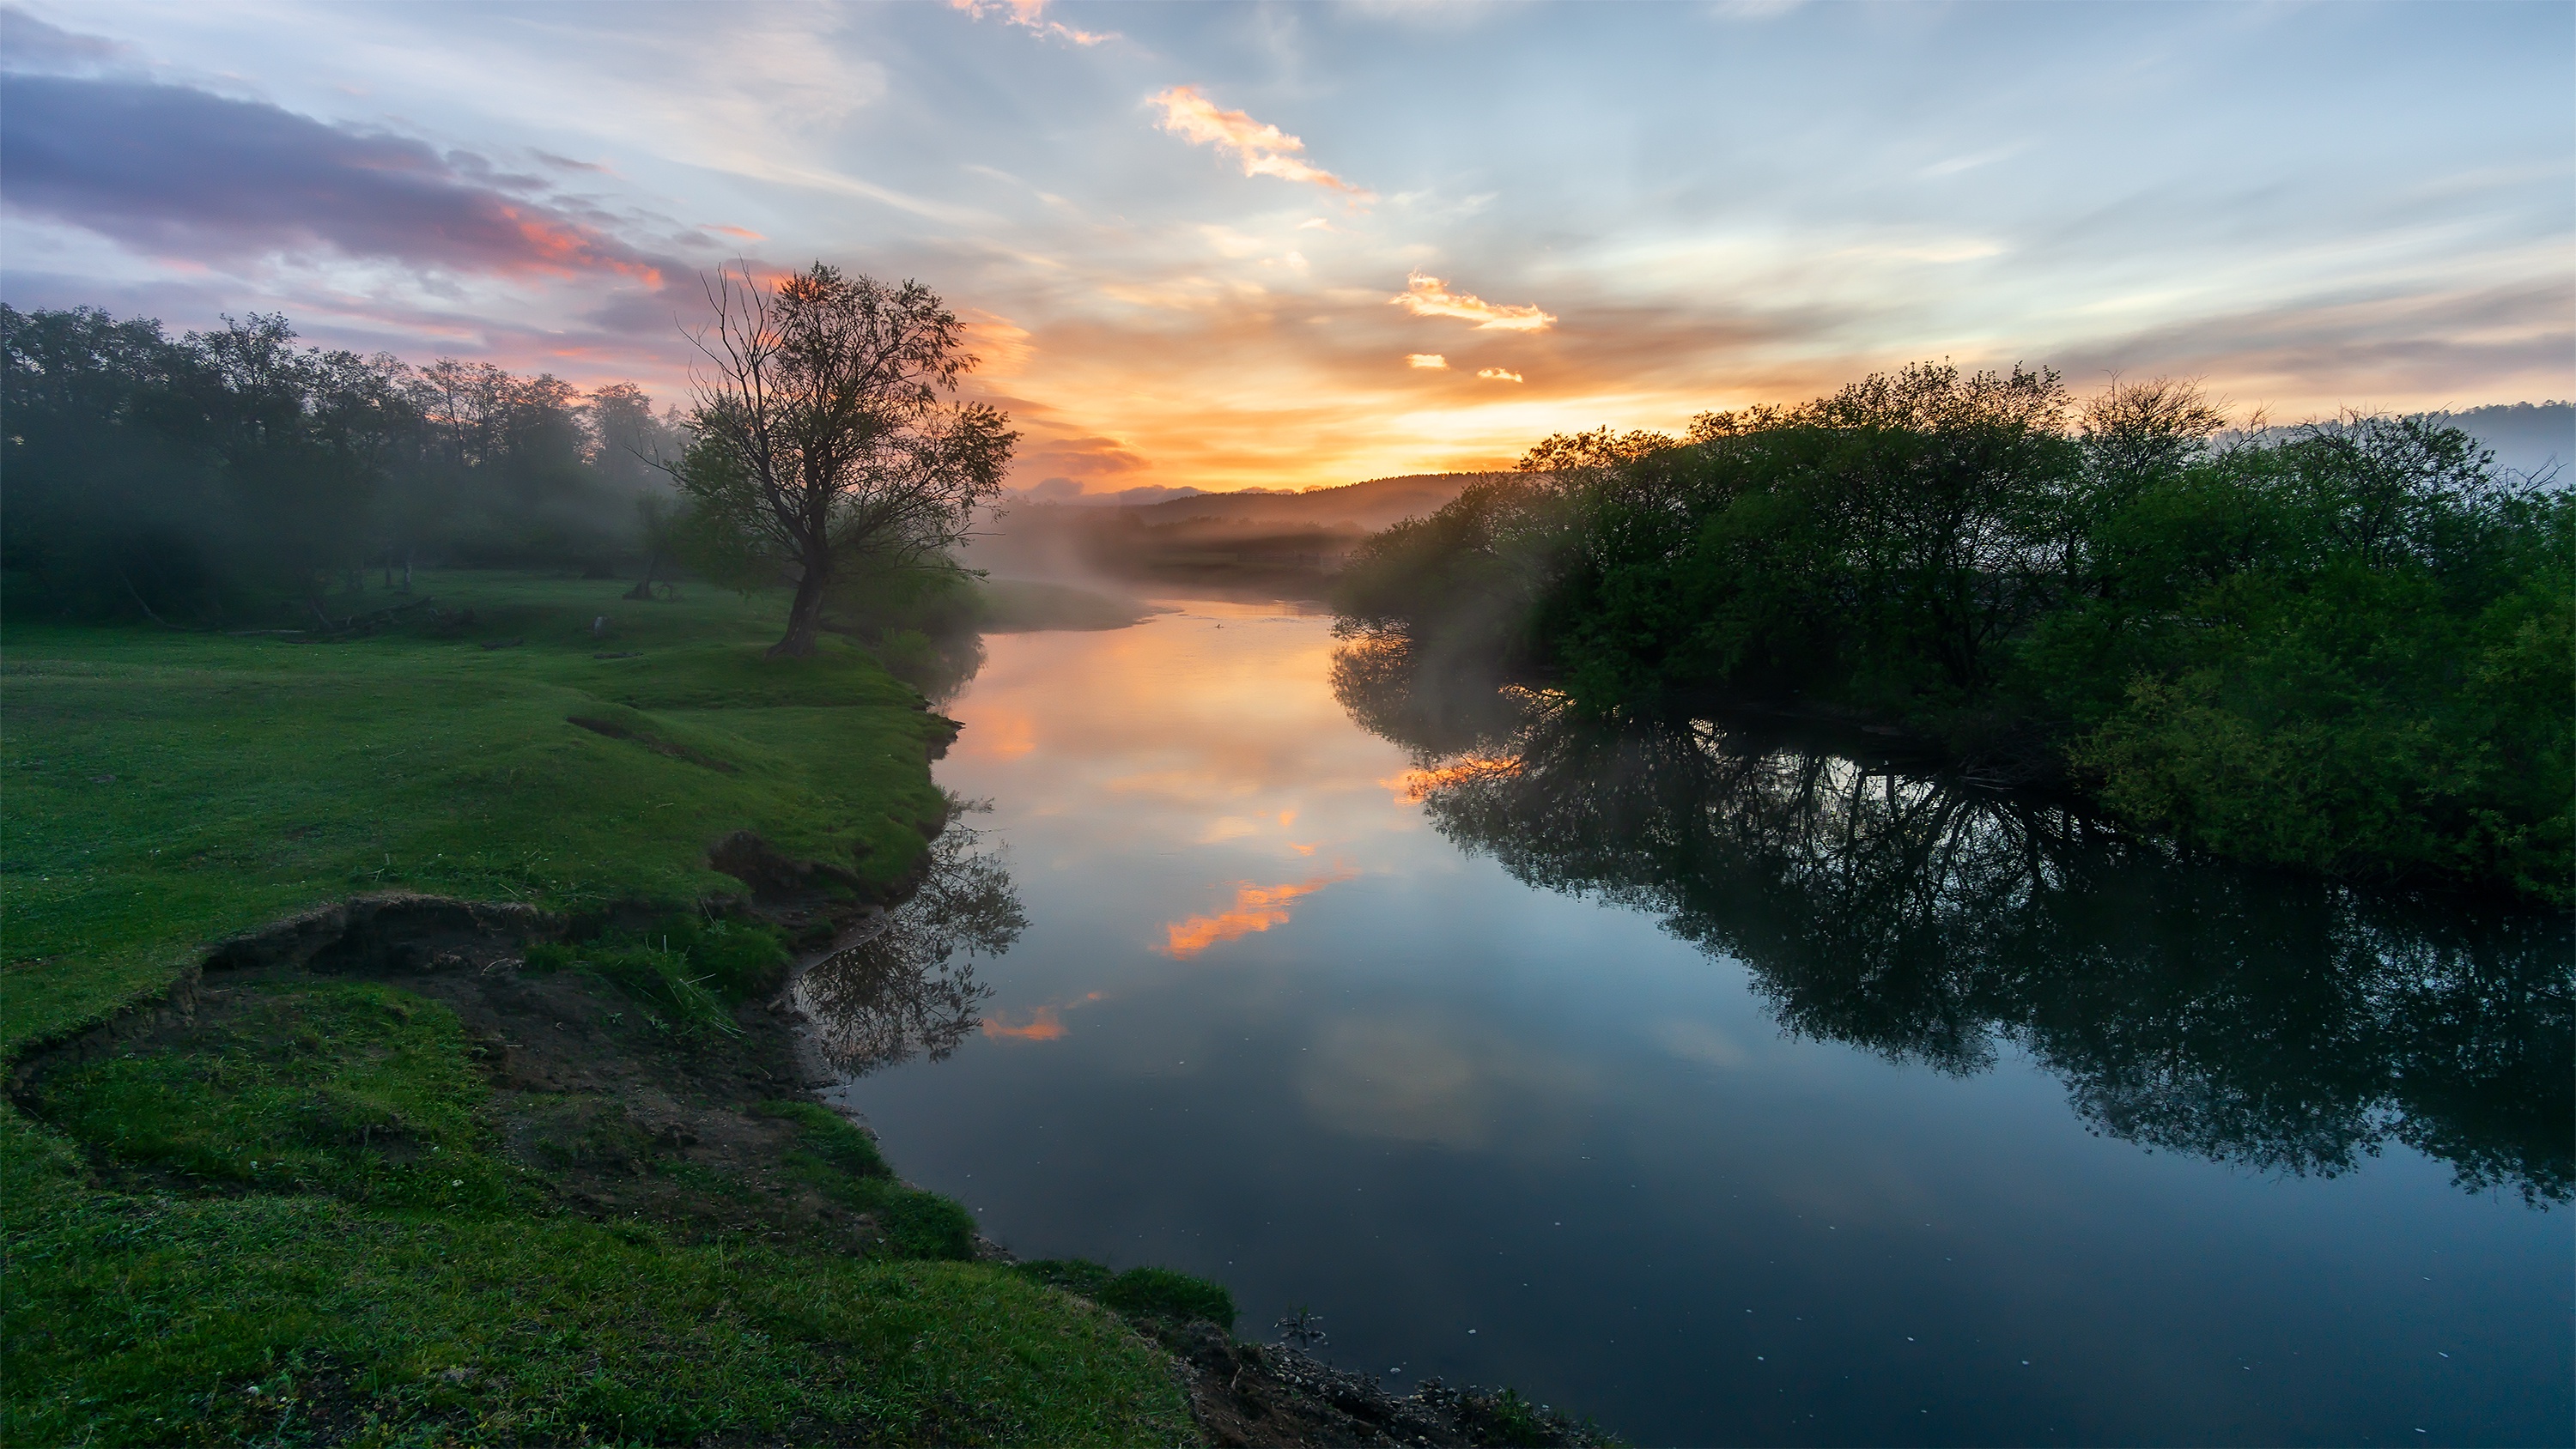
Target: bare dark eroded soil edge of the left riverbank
column 452, row 951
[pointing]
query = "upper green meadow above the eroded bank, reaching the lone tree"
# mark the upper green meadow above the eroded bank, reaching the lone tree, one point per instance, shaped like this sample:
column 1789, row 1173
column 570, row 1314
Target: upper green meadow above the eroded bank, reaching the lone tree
column 171, row 789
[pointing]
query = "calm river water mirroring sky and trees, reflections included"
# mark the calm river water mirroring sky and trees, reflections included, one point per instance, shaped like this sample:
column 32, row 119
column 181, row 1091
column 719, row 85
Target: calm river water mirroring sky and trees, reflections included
column 1719, row 1085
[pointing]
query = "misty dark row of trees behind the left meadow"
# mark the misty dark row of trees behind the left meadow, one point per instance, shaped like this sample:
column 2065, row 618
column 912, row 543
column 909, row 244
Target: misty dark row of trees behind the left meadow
column 223, row 475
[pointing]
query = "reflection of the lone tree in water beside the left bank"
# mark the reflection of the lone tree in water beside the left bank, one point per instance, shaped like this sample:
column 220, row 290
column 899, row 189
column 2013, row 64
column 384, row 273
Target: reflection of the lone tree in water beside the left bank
column 911, row 987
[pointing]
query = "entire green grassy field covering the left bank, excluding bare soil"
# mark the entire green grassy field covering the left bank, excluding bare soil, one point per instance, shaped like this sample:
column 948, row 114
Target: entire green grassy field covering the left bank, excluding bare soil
column 310, row 1214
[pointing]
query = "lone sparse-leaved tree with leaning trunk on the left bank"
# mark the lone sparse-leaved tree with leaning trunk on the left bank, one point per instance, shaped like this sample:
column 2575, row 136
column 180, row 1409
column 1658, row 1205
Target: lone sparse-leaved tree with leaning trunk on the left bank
column 823, row 439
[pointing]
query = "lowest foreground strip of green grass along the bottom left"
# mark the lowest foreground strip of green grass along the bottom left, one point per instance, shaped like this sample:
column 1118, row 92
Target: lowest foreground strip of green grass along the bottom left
column 189, row 1319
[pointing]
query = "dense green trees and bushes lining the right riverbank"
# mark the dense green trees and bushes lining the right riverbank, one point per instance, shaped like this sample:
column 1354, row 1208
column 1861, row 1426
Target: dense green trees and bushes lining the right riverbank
column 2343, row 647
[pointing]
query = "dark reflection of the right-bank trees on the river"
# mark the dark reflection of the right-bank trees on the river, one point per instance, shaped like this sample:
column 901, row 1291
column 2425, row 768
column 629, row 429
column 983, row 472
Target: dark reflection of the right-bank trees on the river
column 2260, row 1020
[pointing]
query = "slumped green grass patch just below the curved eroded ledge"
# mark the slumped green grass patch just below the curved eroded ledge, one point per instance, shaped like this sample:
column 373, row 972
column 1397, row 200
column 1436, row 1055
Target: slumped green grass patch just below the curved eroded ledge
column 346, row 1090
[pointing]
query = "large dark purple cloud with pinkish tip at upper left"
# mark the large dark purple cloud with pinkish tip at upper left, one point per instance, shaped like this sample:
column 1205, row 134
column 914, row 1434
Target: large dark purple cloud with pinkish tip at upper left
column 179, row 171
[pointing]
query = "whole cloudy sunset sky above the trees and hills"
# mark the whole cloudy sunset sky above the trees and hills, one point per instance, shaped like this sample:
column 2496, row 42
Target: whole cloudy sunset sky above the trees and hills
column 1292, row 246
